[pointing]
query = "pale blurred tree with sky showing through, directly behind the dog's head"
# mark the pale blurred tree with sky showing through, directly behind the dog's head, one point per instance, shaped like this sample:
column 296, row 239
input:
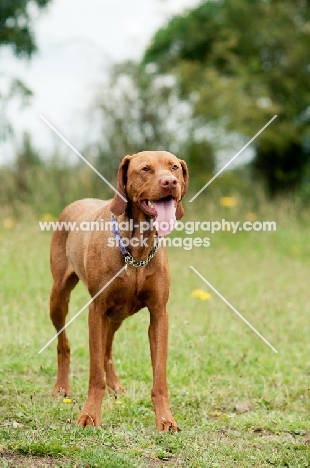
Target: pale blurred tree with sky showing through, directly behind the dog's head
column 138, row 109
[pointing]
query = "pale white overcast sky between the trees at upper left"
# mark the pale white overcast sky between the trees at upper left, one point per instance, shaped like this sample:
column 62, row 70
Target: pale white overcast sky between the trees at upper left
column 77, row 40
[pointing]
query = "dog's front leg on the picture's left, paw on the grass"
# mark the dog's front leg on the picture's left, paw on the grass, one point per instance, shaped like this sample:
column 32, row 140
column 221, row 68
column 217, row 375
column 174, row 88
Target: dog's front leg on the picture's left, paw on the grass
column 98, row 329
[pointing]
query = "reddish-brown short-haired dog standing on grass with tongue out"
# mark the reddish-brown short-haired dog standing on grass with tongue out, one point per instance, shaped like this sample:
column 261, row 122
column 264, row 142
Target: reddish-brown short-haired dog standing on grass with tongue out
column 154, row 184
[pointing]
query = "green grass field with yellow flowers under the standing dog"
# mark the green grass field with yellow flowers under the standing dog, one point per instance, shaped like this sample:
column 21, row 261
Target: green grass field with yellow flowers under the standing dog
column 238, row 403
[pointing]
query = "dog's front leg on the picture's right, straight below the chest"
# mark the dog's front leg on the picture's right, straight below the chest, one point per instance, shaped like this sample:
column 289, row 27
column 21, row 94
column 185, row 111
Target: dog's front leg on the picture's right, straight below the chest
column 158, row 336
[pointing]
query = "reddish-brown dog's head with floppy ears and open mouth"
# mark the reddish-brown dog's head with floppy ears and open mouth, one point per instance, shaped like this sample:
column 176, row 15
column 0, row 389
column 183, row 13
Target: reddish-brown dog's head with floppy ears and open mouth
column 156, row 181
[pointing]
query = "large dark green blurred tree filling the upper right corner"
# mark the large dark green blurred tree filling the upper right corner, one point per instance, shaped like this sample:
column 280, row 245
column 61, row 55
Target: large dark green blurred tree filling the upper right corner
column 239, row 62
